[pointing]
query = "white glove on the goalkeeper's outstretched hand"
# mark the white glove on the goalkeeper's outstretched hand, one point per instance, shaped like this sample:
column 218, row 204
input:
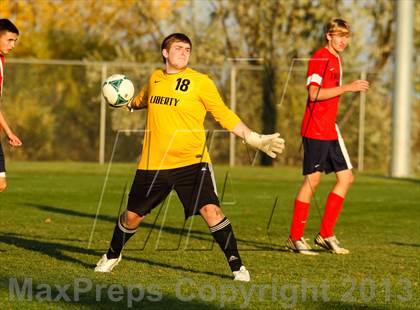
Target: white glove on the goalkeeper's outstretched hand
column 269, row 144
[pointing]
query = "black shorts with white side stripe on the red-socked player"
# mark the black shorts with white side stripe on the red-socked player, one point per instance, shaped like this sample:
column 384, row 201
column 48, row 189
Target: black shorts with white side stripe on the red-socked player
column 325, row 156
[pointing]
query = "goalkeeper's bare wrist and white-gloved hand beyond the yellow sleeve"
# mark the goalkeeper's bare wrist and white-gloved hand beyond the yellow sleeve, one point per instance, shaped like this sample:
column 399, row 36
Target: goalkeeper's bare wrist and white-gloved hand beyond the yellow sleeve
column 270, row 144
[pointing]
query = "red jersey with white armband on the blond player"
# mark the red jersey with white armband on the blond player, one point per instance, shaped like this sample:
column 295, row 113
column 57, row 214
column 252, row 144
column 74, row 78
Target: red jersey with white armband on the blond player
column 324, row 70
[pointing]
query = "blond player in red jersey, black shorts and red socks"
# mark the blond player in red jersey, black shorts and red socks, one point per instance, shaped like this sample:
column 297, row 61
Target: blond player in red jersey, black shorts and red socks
column 324, row 149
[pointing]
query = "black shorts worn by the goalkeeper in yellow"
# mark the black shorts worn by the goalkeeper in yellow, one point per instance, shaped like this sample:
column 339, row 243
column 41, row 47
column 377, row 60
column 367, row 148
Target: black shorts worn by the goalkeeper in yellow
column 194, row 185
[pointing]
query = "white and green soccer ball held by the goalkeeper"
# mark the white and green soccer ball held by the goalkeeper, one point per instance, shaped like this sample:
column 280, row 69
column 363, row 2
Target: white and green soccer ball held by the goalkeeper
column 118, row 90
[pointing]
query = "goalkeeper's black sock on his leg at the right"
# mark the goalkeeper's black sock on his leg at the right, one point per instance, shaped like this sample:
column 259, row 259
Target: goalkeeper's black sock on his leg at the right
column 223, row 234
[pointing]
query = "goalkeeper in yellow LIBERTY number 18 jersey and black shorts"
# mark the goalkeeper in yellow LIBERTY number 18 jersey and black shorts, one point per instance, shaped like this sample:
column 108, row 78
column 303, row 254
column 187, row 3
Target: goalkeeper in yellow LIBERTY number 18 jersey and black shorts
column 175, row 156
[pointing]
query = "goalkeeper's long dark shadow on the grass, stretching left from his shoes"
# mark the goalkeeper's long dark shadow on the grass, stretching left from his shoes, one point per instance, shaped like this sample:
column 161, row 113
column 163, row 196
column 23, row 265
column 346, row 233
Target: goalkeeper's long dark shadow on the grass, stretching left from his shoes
column 55, row 250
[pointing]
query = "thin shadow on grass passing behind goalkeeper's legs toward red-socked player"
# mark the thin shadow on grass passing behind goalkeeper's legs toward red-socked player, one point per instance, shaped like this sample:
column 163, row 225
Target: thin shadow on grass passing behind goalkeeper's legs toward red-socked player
column 195, row 234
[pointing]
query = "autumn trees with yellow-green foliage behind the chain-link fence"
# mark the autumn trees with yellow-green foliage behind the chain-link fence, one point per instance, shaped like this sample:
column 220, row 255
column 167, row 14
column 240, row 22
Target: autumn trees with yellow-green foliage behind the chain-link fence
column 56, row 109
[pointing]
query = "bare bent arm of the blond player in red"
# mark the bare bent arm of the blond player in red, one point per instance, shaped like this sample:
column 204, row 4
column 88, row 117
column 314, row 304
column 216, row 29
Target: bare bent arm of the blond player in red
column 316, row 93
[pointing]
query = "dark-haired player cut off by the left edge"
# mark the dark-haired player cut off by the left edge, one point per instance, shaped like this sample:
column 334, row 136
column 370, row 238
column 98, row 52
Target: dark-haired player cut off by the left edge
column 8, row 37
